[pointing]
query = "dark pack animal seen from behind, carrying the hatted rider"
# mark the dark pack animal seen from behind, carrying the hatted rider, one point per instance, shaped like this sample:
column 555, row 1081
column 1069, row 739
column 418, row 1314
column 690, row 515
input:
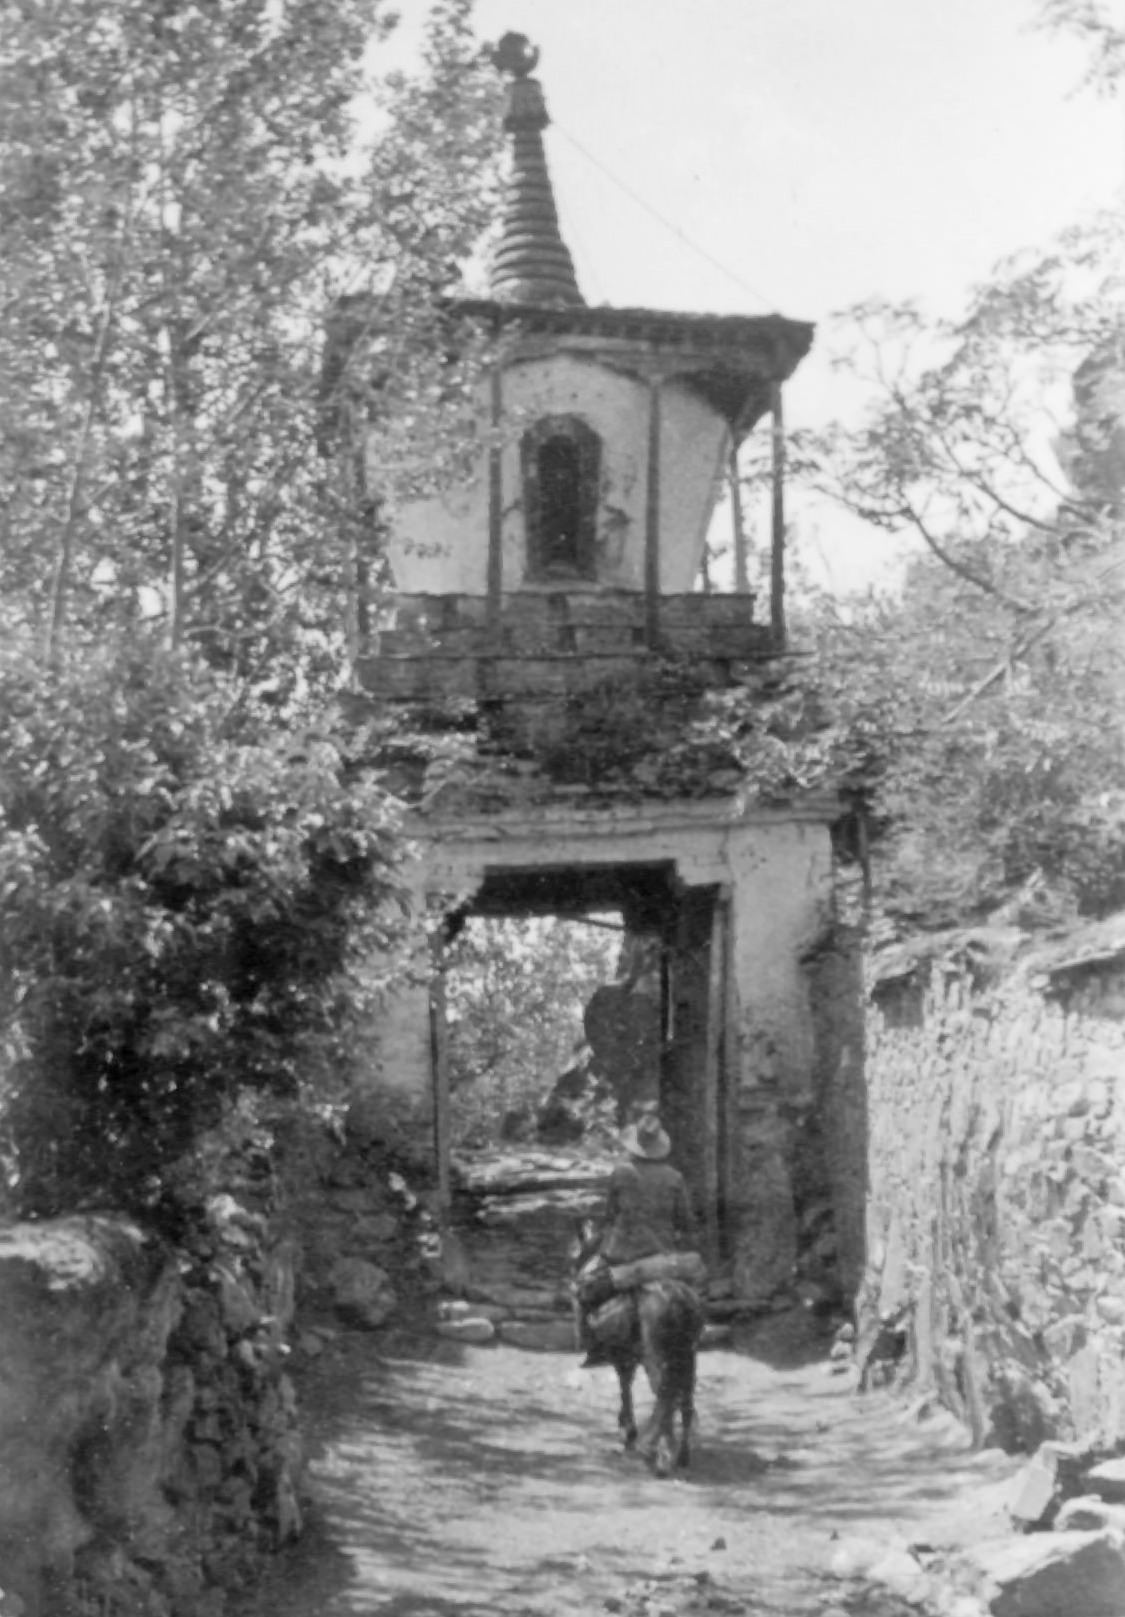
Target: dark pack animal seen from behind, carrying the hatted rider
column 665, row 1335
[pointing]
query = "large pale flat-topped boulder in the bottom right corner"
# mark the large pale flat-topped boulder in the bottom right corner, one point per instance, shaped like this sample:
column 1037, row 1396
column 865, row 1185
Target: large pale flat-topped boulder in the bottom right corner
column 1051, row 1574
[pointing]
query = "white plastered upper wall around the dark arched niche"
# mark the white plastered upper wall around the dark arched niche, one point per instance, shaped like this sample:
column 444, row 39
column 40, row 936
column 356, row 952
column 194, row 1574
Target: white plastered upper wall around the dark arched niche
column 442, row 544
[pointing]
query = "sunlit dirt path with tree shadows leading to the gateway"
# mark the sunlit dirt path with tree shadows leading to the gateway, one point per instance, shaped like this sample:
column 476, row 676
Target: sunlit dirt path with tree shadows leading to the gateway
column 455, row 1480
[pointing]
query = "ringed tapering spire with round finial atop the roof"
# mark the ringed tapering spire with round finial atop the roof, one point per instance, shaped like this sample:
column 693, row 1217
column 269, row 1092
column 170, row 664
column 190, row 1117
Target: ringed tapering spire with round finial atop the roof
column 531, row 263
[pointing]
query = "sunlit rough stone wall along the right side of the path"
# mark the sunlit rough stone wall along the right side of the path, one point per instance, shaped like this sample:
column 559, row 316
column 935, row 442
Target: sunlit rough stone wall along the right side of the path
column 996, row 1207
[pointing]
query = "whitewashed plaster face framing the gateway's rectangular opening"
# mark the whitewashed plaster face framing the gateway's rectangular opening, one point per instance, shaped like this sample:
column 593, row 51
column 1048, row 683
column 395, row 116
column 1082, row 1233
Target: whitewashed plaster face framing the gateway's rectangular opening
column 780, row 877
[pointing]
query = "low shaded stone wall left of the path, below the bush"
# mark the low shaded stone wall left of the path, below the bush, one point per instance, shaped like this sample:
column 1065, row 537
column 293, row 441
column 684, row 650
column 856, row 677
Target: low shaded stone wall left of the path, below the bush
column 148, row 1425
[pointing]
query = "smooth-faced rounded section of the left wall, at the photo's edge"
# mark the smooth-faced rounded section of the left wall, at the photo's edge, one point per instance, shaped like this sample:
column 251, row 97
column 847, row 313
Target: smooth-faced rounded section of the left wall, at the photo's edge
column 86, row 1311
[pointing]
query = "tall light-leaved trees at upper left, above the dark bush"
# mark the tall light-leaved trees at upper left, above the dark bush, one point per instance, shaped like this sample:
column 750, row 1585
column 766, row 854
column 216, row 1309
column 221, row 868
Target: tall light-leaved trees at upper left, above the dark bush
column 183, row 198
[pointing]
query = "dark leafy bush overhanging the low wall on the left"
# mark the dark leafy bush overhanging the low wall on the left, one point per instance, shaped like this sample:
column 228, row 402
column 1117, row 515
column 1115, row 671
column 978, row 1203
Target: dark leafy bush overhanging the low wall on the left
column 185, row 890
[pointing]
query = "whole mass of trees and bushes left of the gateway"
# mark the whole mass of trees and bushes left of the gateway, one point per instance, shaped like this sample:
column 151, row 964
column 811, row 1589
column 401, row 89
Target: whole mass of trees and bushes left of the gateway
column 192, row 856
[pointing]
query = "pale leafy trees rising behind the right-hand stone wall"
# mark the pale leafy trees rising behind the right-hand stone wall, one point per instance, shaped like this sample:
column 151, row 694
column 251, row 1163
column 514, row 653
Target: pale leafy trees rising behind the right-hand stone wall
column 974, row 711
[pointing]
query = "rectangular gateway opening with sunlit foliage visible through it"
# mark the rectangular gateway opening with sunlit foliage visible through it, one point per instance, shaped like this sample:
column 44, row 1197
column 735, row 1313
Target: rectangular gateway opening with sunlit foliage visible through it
column 575, row 998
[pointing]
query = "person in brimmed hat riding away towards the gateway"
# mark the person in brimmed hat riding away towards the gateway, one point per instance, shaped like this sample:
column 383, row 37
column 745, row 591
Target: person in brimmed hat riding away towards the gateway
column 647, row 1215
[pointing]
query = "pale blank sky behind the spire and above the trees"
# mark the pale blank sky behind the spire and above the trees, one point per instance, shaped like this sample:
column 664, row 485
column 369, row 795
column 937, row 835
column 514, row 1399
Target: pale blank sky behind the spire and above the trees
column 819, row 151
